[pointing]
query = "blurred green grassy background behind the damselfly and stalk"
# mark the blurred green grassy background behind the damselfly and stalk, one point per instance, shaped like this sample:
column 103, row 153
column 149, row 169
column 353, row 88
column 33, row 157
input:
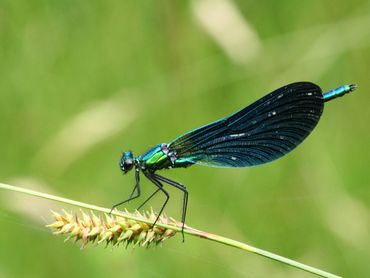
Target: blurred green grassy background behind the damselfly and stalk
column 82, row 81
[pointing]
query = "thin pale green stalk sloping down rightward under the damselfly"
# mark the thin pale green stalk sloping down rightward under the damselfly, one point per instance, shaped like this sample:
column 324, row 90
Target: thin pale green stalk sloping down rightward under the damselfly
column 177, row 228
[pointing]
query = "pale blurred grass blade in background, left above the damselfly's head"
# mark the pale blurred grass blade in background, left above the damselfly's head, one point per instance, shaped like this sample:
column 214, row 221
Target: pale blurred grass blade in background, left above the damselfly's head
column 84, row 130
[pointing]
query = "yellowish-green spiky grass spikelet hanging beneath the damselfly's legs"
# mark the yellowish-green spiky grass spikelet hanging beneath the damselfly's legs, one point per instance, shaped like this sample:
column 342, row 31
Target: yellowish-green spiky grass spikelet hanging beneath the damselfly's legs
column 111, row 230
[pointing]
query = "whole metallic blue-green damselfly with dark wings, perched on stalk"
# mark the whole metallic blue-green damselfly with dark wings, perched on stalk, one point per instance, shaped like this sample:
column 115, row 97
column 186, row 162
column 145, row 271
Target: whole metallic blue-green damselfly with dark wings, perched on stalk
column 260, row 133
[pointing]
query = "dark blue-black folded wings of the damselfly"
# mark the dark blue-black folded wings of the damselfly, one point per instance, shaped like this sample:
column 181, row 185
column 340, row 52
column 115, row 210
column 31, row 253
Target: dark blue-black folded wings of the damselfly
column 262, row 132
